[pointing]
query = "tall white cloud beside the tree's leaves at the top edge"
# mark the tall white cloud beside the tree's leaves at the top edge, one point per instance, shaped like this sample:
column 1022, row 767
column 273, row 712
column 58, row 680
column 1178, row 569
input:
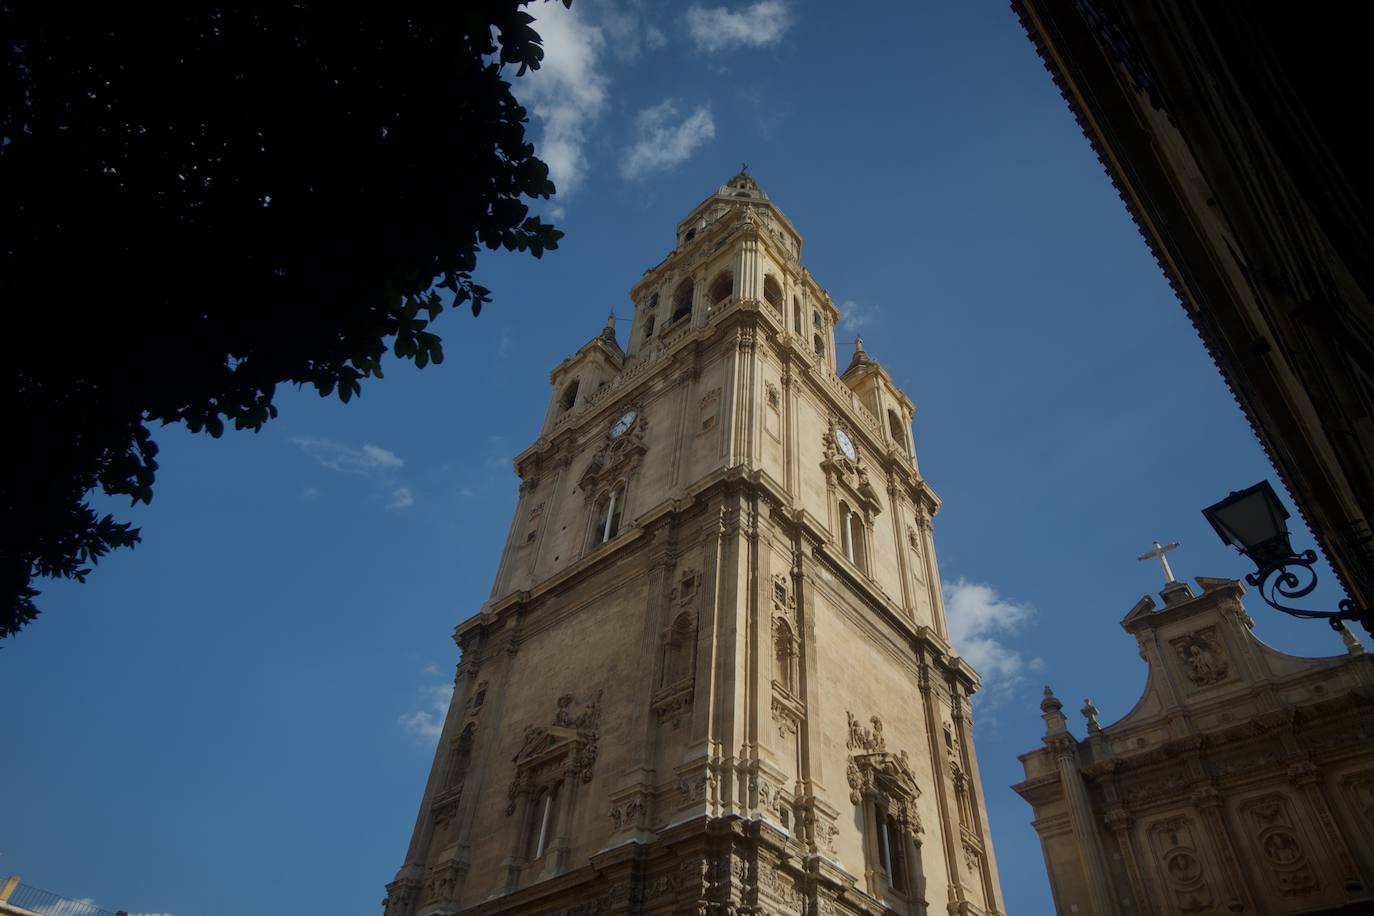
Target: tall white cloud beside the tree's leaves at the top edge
column 567, row 94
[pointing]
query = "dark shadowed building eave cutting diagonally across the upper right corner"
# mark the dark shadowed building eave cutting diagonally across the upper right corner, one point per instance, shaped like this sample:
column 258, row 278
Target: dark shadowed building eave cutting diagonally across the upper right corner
column 1230, row 130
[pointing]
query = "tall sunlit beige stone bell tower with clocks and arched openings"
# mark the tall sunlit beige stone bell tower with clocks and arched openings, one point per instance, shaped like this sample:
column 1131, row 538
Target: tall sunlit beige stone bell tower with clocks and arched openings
column 714, row 675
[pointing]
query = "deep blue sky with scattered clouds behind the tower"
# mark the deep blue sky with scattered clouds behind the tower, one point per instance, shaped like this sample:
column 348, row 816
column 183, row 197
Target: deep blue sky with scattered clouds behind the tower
column 240, row 715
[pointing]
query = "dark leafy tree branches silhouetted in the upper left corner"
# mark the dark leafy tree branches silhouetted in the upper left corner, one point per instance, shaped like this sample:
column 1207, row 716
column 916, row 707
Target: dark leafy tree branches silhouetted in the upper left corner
column 204, row 204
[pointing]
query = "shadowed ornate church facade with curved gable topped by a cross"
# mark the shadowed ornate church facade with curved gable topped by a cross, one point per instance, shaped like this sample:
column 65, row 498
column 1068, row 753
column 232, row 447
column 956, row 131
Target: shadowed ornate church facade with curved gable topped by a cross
column 1243, row 782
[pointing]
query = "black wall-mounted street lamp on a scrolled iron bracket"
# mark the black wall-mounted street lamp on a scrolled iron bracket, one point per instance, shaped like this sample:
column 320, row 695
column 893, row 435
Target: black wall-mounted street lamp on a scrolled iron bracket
column 1255, row 523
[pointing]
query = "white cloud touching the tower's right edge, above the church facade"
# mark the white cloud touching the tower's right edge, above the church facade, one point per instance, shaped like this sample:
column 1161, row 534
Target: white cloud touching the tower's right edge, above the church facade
column 983, row 627
